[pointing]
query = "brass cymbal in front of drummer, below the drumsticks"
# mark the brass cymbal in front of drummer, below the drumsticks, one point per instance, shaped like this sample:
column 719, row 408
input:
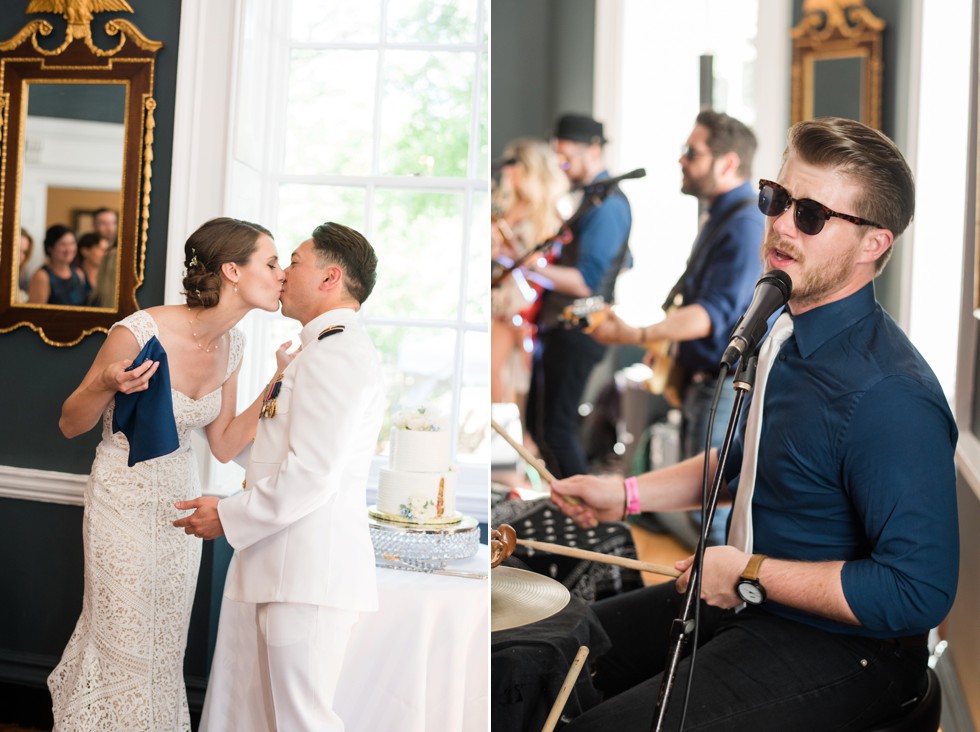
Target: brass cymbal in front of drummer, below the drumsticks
column 519, row 597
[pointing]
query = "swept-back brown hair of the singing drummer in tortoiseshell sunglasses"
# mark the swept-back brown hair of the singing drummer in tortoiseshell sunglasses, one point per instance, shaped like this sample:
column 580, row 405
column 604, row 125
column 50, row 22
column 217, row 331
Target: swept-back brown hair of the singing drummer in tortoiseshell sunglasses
column 869, row 159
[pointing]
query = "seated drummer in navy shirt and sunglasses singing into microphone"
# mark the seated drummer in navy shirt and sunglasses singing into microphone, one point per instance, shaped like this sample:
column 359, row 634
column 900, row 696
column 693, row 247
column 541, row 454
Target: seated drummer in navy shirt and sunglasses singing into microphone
column 854, row 551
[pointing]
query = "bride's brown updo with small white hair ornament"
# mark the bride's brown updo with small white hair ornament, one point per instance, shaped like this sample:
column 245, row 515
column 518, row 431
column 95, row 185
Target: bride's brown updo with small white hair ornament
column 215, row 243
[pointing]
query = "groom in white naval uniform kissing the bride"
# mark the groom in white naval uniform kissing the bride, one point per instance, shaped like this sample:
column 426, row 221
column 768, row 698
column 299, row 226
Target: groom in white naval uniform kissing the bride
column 303, row 554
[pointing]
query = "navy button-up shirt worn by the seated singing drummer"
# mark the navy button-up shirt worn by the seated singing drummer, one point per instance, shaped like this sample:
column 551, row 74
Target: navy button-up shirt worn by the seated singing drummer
column 856, row 464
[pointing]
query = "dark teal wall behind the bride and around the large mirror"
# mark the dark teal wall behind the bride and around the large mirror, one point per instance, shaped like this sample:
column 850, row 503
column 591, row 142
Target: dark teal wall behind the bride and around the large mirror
column 40, row 543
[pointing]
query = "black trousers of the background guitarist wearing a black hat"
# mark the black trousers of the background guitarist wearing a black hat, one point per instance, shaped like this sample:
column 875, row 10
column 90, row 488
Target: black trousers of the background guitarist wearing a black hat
column 562, row 364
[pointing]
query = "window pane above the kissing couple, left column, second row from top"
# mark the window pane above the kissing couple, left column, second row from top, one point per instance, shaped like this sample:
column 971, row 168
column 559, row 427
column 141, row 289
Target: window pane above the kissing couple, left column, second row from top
column 331, row 112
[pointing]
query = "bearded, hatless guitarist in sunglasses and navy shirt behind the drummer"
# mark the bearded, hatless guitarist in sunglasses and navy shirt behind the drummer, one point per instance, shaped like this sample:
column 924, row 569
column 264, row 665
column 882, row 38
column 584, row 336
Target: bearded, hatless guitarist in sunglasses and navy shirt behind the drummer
column 712, row 293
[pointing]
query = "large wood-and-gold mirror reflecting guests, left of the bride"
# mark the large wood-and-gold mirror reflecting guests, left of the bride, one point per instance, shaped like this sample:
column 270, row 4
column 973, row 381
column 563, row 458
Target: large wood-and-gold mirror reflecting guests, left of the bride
column 76, row 139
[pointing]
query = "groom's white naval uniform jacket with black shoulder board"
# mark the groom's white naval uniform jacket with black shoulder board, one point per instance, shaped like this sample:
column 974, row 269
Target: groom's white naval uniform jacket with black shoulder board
column 300, row 529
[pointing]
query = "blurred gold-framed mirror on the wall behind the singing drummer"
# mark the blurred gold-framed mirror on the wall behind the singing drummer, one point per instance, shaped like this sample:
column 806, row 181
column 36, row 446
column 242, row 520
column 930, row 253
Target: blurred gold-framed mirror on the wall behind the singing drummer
column 837, row 62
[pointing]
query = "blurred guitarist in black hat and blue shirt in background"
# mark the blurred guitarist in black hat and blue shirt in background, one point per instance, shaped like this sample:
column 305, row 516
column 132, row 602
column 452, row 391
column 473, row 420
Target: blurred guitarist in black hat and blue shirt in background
column 588, row 265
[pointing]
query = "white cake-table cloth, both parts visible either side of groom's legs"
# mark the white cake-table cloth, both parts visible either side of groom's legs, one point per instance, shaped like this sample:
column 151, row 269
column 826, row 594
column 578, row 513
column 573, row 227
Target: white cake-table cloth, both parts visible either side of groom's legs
column 419, row 664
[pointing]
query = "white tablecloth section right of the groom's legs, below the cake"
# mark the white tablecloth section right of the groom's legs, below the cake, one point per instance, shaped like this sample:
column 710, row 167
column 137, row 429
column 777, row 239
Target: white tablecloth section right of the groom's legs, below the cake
column 421, row 663
